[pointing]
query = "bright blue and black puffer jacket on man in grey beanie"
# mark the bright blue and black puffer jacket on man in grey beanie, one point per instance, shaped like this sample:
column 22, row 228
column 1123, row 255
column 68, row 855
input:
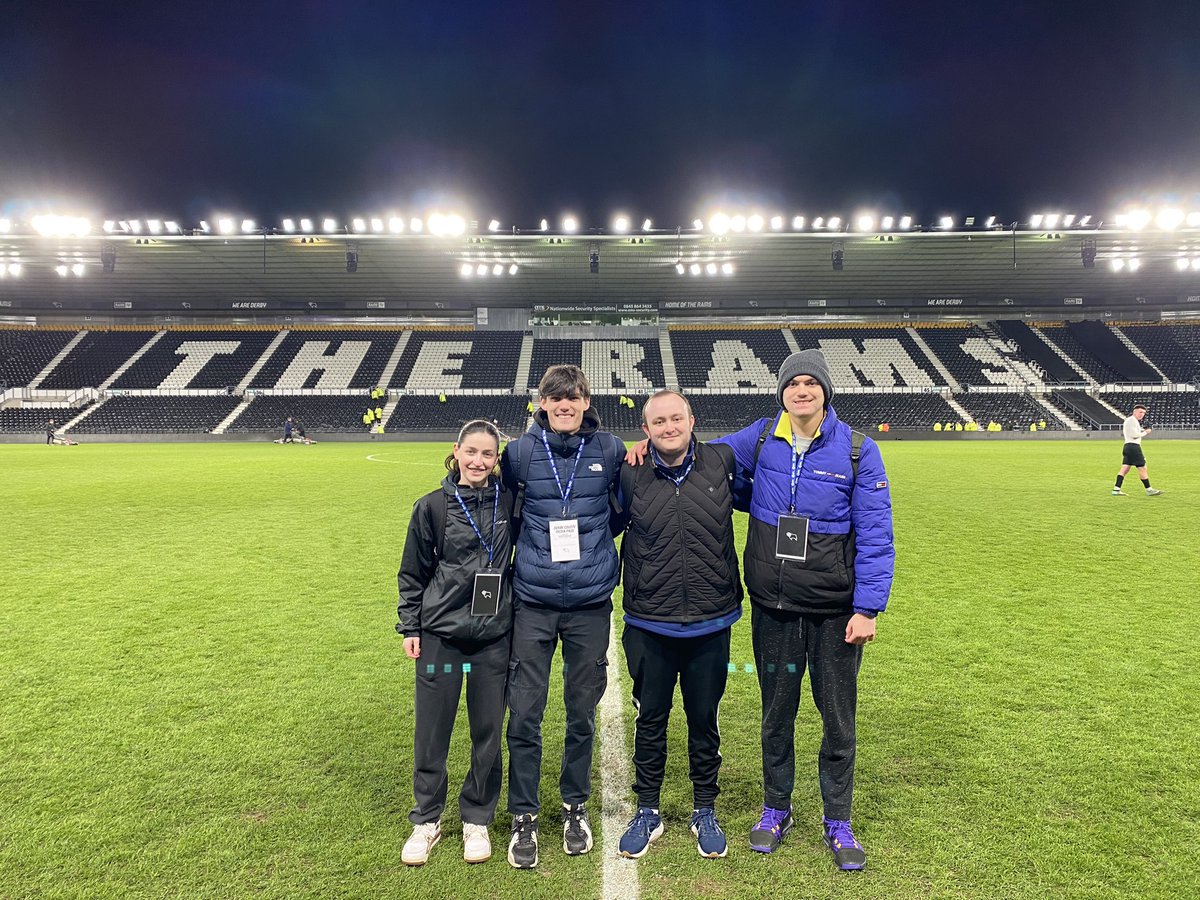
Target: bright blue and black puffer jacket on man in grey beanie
column 851, row 555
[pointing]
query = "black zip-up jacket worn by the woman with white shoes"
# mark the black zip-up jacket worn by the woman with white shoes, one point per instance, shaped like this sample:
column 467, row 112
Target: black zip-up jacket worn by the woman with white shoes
column 437, row 574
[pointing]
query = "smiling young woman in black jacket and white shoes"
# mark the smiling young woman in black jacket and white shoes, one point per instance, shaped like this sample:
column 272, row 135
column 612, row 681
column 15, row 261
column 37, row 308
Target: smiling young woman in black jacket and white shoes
column 457, row 616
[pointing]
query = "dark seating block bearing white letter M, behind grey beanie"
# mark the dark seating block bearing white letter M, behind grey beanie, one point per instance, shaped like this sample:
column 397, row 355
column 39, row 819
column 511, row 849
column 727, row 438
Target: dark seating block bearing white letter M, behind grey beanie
column 872, row 357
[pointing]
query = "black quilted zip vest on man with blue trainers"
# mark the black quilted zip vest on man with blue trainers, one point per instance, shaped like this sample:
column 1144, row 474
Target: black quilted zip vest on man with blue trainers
column 679, row 555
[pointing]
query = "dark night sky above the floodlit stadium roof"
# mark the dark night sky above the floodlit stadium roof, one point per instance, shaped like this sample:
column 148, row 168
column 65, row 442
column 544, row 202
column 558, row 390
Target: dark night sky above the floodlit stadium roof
column 527, row 110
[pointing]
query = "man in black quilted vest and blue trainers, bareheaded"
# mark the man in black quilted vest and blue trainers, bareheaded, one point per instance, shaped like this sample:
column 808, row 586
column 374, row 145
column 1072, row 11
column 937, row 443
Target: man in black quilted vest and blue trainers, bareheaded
column 682, row 597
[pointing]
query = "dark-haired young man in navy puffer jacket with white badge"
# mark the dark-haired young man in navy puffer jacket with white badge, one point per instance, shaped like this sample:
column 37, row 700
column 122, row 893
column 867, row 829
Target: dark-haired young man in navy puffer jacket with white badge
column 565, row 574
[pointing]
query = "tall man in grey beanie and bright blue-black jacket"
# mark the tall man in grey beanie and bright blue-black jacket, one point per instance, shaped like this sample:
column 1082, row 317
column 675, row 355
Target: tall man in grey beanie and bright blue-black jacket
column 819, row 563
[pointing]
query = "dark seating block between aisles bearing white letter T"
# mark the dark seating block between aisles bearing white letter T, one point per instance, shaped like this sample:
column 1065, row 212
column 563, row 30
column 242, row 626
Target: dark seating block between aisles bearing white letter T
column 197, row 359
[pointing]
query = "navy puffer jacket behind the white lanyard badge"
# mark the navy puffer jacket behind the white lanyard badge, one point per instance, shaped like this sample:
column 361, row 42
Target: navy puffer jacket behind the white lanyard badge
column 590, row 581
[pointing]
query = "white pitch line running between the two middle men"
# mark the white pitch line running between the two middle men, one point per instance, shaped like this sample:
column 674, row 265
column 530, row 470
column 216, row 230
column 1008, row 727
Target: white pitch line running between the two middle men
column 620, row 880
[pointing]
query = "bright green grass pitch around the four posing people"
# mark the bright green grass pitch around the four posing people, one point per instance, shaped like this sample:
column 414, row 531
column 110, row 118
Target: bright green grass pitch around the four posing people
column 202, row 694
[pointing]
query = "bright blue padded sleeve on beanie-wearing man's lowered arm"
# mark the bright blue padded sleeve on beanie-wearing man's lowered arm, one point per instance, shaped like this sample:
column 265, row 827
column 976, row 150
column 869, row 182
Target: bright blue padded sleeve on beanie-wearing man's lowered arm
column 871, row 514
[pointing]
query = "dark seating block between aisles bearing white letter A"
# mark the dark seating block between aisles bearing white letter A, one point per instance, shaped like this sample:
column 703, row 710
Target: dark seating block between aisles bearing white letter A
column 729, row 359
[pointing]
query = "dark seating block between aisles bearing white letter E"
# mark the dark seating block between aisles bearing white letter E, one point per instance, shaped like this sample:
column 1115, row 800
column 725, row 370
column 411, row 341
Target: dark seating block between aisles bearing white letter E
column 453, row 361
